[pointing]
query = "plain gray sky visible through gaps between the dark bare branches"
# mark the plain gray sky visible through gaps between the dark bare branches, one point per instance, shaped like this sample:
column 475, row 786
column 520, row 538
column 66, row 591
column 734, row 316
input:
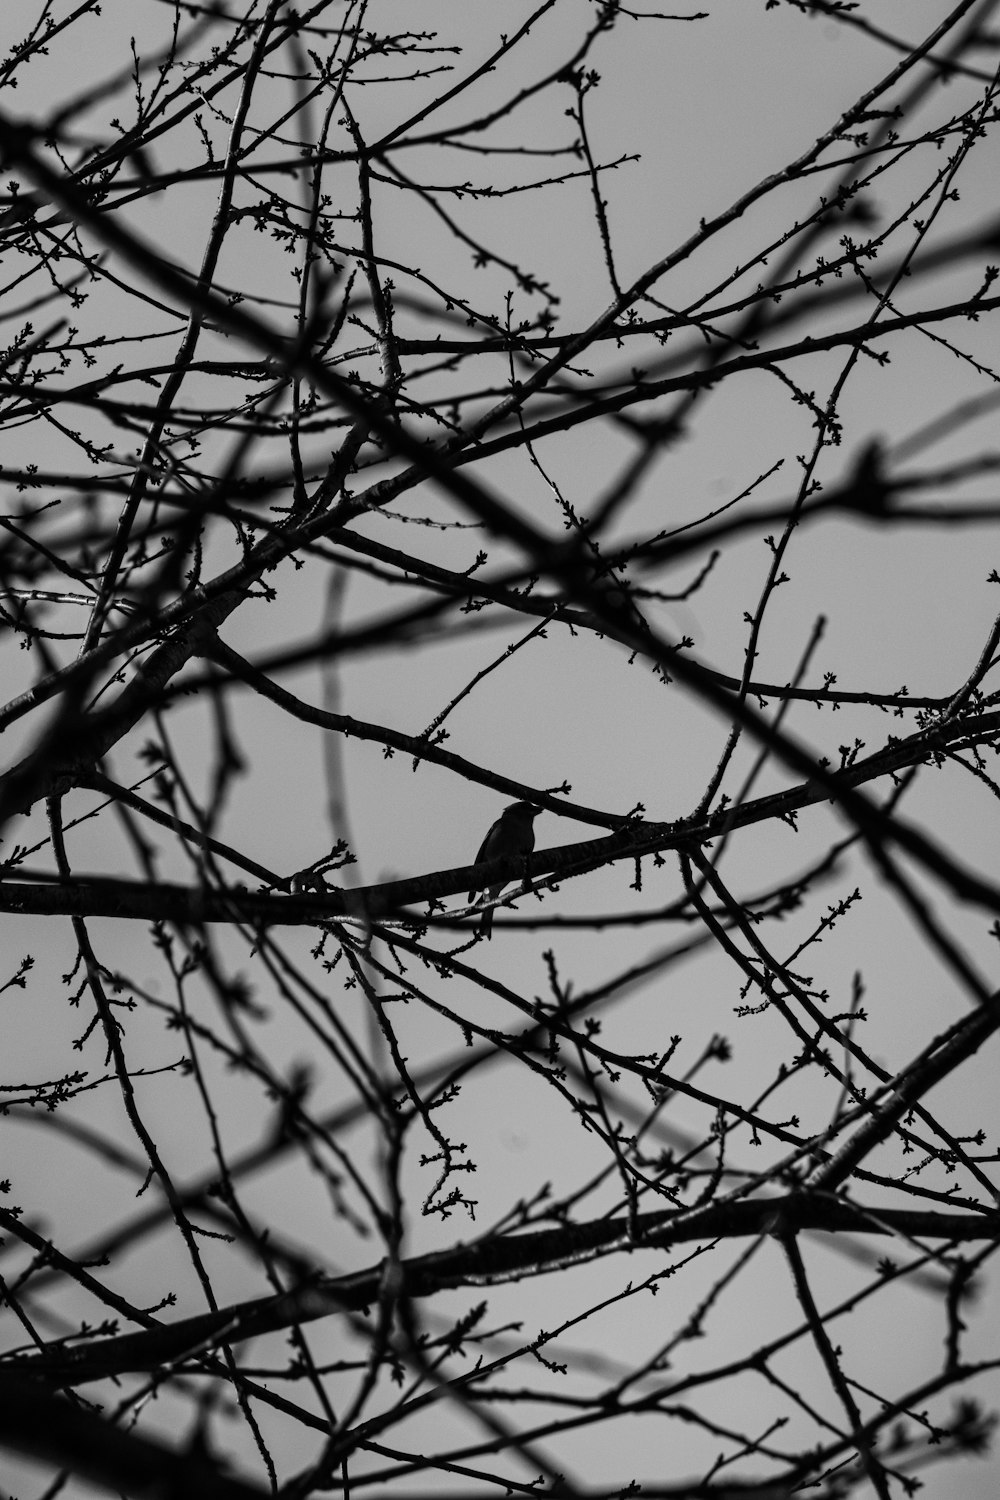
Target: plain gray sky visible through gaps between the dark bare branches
column 714, row 107
